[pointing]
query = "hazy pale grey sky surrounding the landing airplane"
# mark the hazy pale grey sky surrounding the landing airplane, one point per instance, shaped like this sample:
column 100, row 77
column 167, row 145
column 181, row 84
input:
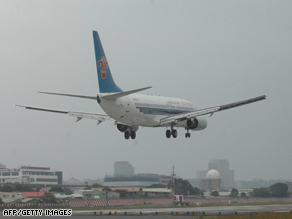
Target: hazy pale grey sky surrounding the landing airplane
column 208, row 52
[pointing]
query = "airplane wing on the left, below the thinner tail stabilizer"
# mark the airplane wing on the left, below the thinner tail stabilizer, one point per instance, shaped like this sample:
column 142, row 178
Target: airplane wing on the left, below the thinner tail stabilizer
column 79, row 115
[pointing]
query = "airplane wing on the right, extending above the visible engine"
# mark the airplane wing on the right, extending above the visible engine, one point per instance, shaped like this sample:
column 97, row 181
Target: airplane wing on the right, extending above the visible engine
column 189, row 115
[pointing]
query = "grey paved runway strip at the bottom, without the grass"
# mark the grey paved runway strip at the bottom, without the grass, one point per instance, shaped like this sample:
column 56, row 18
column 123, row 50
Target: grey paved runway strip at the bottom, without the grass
column 194, row 212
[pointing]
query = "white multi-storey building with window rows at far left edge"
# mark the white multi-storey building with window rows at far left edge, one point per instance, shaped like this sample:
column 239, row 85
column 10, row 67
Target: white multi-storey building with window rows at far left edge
column 30, row 175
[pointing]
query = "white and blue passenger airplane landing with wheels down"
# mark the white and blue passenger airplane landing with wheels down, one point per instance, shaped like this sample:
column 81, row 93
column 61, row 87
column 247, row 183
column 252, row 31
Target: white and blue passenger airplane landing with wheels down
column 131, row 110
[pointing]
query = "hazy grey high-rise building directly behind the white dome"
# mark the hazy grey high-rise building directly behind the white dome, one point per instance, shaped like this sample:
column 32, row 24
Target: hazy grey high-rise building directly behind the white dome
column 227, row 175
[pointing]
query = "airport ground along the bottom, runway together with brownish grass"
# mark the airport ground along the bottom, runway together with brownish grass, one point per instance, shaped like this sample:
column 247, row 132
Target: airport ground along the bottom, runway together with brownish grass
column 273, row 211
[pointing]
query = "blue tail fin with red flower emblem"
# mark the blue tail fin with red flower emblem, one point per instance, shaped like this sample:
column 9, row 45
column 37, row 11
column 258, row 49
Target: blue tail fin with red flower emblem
column 105, row 79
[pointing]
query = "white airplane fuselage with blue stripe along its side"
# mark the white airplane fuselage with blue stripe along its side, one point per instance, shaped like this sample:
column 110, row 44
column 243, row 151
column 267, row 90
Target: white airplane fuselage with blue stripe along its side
column 144, row 110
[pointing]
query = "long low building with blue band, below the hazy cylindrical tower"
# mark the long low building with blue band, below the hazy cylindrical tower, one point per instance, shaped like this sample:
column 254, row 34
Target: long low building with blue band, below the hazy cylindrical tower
column 139, row 180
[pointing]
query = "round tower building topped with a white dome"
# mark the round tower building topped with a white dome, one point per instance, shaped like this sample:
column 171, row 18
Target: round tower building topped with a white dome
column 212, row 181
